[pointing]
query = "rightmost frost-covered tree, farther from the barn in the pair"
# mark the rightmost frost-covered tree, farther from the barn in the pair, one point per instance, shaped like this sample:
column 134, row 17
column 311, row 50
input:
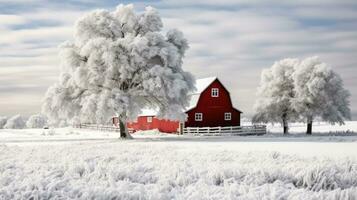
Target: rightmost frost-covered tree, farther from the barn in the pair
column 320, row 93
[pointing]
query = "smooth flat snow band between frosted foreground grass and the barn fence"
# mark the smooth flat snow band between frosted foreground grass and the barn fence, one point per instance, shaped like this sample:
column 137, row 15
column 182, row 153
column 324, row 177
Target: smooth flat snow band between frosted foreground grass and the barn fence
column 316, row 145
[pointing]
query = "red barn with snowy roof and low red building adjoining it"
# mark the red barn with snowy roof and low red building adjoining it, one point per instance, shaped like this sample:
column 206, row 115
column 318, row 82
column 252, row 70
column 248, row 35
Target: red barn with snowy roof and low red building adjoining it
column 210, row 106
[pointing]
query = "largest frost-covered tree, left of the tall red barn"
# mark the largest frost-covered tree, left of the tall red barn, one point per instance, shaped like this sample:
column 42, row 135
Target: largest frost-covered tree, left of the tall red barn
column 119, row 63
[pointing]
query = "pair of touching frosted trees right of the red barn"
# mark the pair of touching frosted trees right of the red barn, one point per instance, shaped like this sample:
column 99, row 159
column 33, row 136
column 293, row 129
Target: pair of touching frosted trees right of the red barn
column 301, row 90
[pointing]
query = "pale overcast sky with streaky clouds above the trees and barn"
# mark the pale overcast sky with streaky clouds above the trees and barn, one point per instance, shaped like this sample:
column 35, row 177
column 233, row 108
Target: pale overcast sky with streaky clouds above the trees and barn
column 231, row 39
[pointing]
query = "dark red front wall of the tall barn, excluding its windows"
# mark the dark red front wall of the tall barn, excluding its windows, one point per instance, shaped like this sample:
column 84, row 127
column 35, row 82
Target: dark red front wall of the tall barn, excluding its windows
column 213, row 109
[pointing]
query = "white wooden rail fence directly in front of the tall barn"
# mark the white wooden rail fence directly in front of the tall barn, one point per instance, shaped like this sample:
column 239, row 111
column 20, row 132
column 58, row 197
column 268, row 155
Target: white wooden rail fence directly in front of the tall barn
column 227, row 130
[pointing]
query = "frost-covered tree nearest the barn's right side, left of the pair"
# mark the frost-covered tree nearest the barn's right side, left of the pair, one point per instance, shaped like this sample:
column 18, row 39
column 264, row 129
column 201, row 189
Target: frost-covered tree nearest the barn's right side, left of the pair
column 275, row 94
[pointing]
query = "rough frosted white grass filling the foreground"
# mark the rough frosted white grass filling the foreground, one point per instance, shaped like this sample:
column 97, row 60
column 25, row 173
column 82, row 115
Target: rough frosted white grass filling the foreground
column 169, row 170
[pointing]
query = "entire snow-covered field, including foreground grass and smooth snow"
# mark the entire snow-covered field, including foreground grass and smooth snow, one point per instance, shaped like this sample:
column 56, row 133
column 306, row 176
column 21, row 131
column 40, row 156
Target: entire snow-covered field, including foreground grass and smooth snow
column 81, row 164
